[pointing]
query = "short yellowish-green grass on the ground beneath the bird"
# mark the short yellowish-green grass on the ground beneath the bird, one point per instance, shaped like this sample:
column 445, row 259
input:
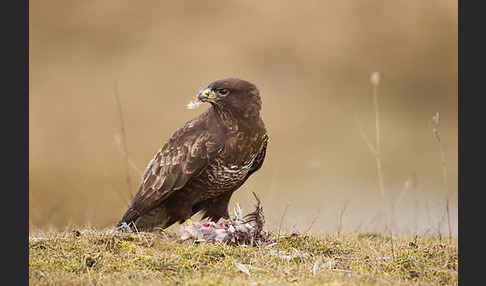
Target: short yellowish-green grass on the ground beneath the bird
column 82, row 256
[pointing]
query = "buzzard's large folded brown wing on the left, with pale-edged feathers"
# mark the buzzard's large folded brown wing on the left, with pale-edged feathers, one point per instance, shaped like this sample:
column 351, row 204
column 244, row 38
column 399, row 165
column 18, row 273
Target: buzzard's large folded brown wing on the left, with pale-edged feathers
column 188, row 152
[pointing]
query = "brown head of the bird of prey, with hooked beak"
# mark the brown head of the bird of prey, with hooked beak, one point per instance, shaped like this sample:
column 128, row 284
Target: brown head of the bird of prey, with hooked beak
column 234, row 95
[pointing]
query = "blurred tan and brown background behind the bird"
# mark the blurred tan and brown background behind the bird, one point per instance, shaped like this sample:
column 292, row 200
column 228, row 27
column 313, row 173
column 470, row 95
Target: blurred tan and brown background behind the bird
column 312, row 63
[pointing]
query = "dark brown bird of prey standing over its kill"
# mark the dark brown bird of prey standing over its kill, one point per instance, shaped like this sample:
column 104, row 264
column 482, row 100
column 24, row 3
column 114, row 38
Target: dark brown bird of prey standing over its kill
column 205, row 161
